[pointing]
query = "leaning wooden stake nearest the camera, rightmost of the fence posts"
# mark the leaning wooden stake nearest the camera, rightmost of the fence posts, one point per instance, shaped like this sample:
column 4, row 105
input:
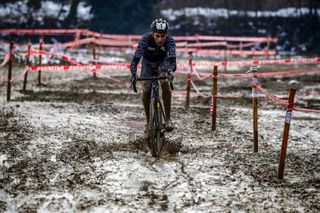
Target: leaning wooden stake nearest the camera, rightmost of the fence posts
column 286, row 134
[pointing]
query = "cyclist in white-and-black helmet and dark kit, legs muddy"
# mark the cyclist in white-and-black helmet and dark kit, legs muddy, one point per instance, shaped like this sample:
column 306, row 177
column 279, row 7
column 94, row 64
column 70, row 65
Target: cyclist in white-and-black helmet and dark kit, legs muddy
column 158, row 52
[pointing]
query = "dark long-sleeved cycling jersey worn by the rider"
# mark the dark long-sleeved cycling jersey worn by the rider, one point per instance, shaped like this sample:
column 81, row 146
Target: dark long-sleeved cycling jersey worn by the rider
column 148, row 49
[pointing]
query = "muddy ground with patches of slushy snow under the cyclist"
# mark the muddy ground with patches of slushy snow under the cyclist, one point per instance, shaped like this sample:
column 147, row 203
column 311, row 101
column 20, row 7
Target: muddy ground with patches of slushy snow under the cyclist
column 75, row 145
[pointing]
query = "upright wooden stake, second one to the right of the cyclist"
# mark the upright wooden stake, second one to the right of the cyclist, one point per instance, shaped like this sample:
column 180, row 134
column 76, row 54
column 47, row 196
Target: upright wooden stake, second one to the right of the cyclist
column 214, row 97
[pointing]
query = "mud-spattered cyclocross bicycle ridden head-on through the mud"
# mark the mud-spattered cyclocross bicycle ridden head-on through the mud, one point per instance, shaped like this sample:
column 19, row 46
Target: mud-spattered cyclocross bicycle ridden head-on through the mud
column 157, row 116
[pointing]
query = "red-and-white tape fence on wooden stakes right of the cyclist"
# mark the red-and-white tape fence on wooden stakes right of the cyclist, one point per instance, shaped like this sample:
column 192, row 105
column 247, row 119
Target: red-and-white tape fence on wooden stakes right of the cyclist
column 256, row 86
